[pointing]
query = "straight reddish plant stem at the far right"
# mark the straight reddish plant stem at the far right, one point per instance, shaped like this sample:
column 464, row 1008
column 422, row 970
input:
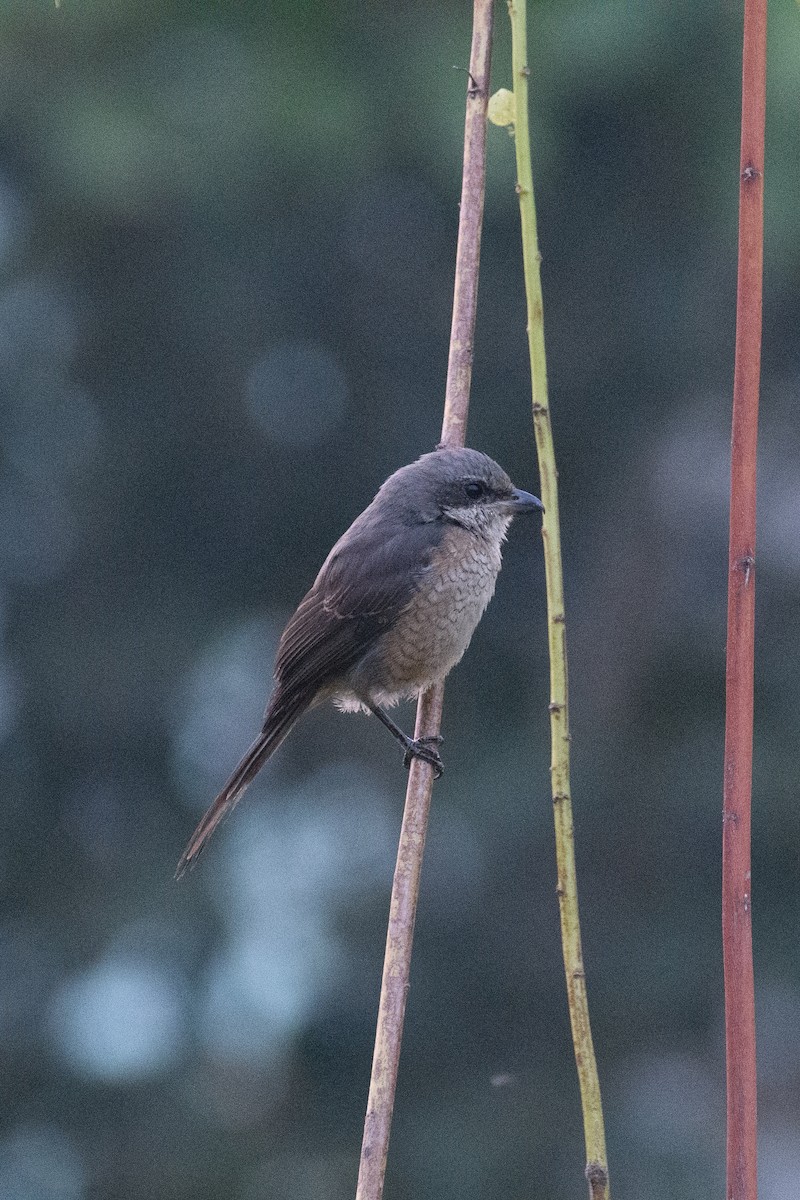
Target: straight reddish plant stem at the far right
column 737, row 890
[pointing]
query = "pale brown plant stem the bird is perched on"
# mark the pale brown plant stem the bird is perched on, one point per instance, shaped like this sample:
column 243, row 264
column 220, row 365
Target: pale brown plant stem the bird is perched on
column 398, row 961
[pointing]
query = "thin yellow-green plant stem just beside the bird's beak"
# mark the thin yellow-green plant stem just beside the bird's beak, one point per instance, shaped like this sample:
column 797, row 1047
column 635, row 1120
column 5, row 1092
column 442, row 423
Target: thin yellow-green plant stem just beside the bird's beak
column 568, row 889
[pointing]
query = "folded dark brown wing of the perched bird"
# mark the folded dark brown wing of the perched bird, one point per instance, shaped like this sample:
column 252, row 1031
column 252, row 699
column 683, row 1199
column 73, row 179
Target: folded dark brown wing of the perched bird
column 366, row 581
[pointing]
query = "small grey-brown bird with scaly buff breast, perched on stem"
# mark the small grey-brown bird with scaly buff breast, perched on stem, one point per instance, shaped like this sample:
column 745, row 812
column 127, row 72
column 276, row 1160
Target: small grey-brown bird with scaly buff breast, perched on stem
column 393, row 610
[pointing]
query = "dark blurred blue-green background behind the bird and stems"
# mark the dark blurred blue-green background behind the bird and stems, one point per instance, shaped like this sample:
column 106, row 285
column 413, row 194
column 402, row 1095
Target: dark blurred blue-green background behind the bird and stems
column 227, row 241
